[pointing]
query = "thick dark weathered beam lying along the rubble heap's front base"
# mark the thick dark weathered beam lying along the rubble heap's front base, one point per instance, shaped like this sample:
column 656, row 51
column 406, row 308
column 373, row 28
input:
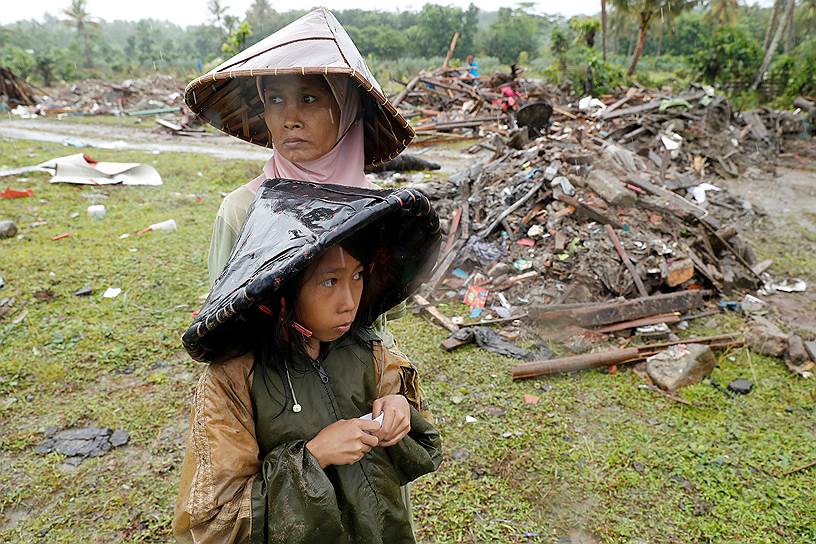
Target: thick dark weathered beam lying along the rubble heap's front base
column 605, row 313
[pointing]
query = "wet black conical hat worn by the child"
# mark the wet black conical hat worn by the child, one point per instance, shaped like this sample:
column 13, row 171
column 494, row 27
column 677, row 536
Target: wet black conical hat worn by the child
column 292, row 222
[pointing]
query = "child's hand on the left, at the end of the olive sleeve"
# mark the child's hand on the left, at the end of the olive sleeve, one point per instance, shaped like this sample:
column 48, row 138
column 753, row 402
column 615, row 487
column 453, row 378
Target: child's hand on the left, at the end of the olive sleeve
column 343, row 442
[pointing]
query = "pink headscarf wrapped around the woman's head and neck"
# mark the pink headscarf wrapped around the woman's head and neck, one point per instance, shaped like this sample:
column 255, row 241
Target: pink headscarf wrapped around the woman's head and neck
column 344, row 163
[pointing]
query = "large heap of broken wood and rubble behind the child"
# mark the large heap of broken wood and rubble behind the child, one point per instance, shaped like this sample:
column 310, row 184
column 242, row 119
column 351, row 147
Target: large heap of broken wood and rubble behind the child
column 612, row 198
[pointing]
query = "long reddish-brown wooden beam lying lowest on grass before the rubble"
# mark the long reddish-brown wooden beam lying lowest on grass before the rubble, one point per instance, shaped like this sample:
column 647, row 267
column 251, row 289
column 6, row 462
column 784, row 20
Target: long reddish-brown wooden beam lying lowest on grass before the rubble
column 611, row 357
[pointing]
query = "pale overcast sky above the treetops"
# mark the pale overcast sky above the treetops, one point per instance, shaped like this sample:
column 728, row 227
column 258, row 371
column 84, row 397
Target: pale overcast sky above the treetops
column 195, row 11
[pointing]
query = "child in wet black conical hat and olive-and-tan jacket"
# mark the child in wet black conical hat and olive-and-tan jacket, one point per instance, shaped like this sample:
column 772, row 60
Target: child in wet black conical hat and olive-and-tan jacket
column 277, row 452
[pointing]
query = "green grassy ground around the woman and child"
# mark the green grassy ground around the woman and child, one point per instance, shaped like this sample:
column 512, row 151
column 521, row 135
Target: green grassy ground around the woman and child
column 598, row 453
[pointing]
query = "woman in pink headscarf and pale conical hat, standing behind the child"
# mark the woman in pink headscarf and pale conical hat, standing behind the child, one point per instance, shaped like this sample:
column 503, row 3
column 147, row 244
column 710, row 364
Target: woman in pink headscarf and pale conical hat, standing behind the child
column 326, row 117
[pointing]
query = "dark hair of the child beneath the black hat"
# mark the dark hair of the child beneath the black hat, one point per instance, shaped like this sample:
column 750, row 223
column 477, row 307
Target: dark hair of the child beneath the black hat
column 276, row 340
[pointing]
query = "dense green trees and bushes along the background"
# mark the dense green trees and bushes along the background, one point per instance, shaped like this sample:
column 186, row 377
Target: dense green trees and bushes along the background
column 718, row 42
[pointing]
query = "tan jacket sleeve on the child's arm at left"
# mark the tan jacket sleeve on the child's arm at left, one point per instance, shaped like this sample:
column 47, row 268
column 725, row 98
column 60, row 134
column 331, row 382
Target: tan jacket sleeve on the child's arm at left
column 221, row 462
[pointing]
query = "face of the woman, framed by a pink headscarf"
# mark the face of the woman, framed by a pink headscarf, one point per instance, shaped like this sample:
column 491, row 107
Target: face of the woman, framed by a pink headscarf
column 302, row 116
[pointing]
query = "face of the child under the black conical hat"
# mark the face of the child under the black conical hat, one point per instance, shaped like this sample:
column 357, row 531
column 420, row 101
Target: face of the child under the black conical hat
column 330, row 295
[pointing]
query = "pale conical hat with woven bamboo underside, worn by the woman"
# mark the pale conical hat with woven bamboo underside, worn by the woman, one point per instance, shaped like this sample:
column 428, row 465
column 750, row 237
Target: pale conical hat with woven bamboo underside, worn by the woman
column 316, row 44
